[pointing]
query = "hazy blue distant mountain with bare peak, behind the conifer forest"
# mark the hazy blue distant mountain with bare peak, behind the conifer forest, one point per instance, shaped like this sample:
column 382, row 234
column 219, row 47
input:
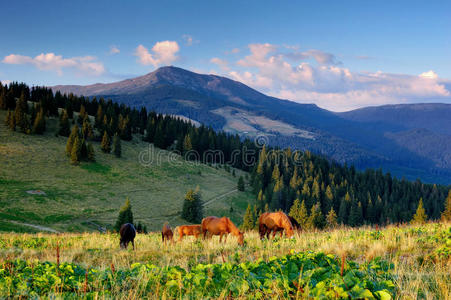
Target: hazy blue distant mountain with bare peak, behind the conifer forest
column 409, row 140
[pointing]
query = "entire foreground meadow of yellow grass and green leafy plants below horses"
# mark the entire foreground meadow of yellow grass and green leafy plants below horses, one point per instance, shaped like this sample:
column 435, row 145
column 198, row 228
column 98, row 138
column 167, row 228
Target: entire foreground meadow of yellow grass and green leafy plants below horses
column 408, row 262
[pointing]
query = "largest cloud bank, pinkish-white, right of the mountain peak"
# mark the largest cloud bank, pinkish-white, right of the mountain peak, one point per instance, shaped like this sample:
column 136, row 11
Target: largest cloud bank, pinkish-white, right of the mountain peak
column 314, row 76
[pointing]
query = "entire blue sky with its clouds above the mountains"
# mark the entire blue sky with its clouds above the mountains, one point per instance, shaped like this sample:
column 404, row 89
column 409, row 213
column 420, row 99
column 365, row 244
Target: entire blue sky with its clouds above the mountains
column 338, row 54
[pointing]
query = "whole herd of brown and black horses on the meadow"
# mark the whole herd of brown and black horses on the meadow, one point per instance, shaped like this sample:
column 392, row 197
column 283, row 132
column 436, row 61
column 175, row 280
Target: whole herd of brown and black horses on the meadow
column 268, row 222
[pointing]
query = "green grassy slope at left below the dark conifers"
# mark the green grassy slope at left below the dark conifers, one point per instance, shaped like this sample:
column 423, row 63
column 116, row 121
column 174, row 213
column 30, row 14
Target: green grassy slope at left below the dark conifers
column 95, row 191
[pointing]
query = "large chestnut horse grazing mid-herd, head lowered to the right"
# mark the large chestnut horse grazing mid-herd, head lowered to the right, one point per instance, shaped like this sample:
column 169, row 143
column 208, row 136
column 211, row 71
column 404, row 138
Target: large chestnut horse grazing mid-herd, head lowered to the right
column 221, row 226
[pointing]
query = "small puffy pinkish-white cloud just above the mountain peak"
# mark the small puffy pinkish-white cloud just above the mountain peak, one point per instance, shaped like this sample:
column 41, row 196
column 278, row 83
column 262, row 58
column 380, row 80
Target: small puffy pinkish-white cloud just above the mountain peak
column 163, row 53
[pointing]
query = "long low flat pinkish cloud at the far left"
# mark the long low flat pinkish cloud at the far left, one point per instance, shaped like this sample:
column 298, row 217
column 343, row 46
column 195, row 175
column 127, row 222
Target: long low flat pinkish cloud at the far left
column 87, row 65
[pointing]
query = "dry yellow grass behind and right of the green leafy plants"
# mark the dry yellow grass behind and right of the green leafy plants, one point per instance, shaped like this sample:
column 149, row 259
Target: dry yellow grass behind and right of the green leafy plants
column 419, row 271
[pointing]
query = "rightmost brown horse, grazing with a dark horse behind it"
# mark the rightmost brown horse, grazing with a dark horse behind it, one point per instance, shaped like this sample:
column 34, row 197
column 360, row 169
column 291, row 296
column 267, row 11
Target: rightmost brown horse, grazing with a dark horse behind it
column 276, row 221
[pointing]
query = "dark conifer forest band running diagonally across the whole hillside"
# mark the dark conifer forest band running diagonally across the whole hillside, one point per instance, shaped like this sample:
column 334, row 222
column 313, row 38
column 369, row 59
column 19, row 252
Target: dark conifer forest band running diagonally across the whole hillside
column 279, row 177
